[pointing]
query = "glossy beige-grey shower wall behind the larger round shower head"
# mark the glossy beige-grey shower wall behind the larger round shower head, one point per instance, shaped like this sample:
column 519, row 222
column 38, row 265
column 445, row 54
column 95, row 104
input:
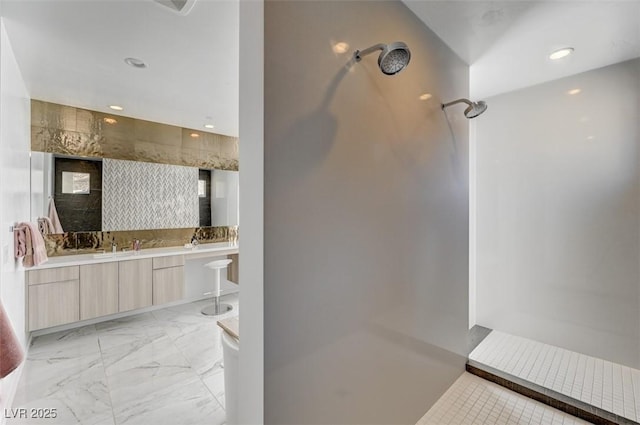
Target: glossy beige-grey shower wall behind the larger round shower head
column 366, row 217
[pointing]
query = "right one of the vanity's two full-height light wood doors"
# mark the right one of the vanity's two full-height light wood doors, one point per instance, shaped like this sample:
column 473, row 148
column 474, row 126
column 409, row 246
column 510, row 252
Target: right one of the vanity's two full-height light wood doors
column 135, row 284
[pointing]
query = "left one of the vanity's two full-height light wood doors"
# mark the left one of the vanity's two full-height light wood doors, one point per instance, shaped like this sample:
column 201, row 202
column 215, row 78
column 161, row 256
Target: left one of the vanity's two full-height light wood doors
column 98, row 290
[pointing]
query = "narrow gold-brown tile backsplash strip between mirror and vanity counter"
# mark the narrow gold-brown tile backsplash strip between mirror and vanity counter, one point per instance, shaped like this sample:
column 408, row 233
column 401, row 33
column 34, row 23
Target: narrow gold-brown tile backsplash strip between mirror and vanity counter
column 73, row 243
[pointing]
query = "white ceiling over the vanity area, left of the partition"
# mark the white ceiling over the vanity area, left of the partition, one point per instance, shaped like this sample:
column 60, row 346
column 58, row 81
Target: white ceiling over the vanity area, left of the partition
column 72, row 52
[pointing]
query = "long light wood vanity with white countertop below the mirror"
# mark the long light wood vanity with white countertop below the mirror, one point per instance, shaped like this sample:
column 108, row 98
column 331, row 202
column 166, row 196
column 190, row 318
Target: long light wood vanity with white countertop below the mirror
column 70, row 289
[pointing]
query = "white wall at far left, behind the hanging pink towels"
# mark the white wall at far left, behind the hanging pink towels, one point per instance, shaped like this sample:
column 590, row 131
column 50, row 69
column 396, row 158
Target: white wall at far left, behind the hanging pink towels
column 14, row 192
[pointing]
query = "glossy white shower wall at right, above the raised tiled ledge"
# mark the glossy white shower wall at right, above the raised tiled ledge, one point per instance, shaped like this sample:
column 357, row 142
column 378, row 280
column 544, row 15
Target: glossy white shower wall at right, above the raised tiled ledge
column 558, row 215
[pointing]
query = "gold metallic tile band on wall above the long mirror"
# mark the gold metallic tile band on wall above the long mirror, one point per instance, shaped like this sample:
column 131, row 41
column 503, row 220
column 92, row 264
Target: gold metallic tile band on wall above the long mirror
column 79, row 132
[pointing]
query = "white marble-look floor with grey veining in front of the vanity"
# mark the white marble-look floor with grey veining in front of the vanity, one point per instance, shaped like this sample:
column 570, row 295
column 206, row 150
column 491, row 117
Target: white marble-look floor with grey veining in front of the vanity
column 159, row 367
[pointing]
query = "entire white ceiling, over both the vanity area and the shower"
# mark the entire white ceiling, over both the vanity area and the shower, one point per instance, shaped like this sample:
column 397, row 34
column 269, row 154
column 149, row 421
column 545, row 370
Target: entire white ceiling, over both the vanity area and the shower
column 71, row 52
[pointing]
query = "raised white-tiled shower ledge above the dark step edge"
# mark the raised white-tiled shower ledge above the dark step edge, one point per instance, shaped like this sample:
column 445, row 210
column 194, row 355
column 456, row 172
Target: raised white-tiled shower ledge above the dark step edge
column 595, row 382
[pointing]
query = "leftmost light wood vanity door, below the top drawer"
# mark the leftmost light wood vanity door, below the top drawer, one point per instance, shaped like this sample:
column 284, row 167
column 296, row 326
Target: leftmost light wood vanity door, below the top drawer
column 53, row 304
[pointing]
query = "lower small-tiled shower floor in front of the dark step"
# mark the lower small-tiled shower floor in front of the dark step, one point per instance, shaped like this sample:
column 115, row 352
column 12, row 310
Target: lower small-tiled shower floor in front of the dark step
column 473, row 400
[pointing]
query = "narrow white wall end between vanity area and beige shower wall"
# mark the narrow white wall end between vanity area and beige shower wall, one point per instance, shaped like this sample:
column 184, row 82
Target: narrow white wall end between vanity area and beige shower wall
column 251, row 357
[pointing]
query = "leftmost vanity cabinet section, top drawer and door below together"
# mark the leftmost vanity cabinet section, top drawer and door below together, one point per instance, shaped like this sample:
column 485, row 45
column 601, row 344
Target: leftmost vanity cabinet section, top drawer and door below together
column 53, row 297
